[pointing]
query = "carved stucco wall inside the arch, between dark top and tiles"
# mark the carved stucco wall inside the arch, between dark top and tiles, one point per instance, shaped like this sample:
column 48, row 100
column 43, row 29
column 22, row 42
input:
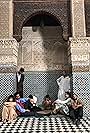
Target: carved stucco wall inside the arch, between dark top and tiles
column 44, row 49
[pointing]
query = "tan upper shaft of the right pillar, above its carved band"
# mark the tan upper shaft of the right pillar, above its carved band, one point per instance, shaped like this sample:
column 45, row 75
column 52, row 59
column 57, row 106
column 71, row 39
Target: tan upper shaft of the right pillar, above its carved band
column 78, row 18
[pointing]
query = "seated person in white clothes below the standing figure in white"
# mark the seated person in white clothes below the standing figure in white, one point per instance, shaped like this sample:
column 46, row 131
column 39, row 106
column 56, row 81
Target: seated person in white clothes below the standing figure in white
column 62, row 106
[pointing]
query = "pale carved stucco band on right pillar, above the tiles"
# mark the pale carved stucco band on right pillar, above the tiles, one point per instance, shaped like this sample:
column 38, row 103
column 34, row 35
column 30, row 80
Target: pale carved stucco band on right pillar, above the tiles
column 80, row 54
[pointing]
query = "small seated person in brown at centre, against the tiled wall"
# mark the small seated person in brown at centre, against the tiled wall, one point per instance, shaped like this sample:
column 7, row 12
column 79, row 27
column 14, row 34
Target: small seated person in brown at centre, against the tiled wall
column 47, row 103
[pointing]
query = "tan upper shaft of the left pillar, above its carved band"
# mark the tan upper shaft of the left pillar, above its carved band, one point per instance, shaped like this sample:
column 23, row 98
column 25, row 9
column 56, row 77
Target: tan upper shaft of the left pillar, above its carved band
column 6, row 19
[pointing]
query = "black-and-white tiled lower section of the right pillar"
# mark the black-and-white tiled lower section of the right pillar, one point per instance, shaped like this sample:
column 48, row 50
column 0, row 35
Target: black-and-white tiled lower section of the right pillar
column 81, row 87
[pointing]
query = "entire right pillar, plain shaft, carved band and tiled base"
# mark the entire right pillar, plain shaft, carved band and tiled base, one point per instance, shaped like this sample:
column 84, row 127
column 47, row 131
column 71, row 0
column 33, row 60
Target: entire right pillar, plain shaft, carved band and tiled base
column 80, row 57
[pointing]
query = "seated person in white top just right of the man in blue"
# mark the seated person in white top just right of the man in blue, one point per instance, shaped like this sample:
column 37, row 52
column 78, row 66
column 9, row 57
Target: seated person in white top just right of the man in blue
column 31, row 104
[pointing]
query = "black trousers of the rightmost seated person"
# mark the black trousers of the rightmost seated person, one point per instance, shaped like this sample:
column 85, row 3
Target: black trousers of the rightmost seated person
column 76, row 113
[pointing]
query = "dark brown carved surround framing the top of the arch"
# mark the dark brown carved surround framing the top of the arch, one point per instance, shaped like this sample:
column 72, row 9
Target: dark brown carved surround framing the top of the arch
column 25, row 10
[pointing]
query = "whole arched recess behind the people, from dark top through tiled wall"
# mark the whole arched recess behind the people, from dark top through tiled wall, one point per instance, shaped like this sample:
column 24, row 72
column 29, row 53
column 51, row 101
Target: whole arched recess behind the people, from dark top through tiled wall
column 43, row 53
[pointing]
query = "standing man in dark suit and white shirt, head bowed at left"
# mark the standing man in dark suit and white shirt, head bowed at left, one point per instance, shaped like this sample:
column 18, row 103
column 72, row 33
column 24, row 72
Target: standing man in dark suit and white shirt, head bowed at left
column 19, row 81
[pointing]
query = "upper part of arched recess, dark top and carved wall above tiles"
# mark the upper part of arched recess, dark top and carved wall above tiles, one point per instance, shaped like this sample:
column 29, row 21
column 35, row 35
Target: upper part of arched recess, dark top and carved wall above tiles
column 42, row 47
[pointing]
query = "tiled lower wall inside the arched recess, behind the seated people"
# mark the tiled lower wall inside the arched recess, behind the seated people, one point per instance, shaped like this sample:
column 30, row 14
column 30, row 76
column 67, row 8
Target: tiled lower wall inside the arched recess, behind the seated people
column 41, row 83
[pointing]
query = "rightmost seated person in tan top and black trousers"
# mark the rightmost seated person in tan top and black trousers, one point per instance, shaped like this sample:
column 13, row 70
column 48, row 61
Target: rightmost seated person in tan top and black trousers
column 76, row 110
